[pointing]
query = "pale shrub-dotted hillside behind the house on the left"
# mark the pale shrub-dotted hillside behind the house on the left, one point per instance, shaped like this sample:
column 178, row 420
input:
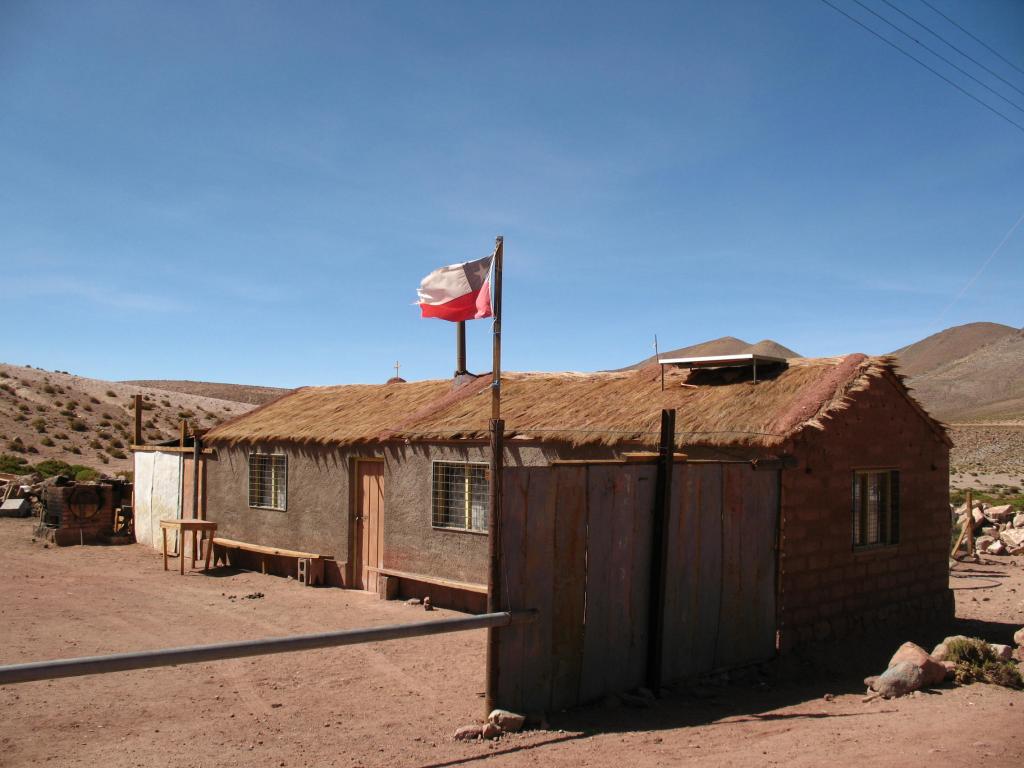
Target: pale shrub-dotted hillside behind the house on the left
column 89, row 422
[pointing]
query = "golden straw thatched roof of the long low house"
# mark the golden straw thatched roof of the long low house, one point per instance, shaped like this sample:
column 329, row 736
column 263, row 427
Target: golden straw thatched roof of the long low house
column 606, row 409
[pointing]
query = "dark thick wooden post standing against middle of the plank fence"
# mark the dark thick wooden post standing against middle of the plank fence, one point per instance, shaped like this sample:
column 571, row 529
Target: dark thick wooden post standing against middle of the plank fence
column 660, row 550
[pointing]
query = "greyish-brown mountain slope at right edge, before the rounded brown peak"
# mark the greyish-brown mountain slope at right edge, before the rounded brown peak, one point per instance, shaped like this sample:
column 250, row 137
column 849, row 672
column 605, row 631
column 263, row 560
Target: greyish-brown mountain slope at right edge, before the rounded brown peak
column 988, row 383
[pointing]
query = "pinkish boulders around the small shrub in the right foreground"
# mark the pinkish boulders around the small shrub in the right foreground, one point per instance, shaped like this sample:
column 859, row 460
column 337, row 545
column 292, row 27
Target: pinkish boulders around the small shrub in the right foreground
column 913, row 669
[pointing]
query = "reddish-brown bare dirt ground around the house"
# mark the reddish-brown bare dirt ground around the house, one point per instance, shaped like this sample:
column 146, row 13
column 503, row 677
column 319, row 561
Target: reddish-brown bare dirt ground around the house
column 397, row 704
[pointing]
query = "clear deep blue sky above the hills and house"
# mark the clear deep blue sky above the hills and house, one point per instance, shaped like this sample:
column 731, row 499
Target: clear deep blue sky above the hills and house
column 250, row 192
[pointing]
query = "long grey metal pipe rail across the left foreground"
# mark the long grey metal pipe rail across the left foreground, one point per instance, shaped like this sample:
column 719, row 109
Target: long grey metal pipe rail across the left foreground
column 25, row 673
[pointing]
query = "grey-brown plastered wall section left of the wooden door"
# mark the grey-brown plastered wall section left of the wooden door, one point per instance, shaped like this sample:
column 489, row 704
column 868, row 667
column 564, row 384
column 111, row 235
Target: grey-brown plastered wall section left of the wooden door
column 318, row 516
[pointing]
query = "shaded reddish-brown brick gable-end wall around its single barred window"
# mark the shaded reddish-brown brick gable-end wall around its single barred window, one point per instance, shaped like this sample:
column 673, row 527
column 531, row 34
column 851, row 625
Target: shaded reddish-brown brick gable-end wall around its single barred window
column 828, row 589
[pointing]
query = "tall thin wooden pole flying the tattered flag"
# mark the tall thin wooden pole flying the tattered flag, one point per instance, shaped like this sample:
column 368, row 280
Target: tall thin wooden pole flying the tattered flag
column 494, row 511
